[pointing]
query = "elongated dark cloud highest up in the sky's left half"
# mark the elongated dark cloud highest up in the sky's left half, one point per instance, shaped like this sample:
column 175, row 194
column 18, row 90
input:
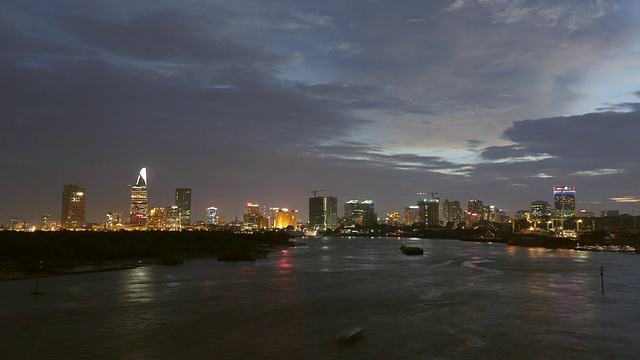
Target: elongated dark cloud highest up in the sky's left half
column 170, row 35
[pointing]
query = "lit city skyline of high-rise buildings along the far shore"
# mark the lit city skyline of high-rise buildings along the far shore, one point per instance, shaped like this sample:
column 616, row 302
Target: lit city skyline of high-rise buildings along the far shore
column 563, row 200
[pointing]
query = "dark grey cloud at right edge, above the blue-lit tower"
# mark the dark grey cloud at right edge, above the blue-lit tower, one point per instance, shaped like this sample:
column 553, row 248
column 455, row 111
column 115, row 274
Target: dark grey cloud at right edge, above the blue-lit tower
column 571, row 147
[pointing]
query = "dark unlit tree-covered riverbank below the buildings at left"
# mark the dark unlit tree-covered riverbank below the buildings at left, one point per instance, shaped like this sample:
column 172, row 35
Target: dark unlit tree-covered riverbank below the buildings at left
column 50, row 252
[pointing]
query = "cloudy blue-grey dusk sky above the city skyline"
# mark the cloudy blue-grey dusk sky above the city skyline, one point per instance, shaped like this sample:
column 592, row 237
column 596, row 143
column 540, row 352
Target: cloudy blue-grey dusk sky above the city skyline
column 265, row 101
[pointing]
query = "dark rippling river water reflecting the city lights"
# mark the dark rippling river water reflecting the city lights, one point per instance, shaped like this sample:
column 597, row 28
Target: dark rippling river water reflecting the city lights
column 462, row 300
